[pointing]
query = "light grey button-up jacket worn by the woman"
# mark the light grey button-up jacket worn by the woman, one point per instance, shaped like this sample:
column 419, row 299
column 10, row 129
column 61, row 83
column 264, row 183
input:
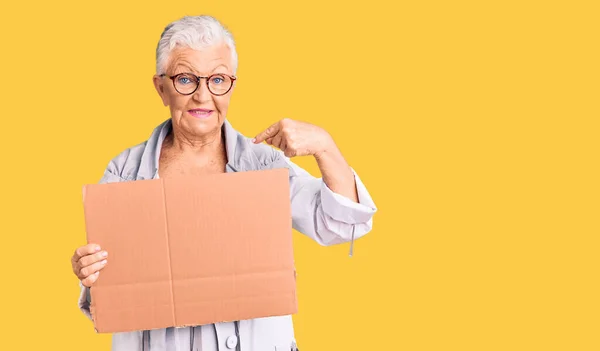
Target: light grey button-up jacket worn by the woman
column 324, row 216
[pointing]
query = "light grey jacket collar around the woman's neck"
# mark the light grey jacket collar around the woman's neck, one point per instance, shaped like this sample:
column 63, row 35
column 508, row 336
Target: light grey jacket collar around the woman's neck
column 150, row 158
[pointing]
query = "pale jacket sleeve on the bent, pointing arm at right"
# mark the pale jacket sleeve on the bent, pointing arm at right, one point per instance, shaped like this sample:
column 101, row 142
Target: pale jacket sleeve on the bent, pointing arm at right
column 325, row 216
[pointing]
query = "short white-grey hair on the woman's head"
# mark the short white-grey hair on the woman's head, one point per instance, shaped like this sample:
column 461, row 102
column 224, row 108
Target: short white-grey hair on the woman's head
column 196, row 32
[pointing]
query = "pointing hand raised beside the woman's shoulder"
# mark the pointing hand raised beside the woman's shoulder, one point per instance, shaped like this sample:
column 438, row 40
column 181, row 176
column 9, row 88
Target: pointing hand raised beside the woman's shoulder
column 296, row 138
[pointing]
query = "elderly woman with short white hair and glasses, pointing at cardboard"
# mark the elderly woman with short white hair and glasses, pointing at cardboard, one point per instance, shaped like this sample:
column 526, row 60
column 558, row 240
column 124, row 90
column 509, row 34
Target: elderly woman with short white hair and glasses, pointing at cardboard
column 196, row 64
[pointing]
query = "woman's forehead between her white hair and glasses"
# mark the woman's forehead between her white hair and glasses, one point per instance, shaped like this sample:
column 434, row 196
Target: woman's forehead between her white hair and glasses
column 200, row 61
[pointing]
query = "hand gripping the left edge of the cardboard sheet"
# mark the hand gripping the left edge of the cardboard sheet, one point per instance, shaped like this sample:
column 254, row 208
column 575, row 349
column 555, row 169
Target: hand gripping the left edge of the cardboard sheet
column 87, row 261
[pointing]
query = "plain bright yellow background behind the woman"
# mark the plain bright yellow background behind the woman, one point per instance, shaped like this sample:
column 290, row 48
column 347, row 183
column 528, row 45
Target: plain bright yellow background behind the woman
column 474, row 124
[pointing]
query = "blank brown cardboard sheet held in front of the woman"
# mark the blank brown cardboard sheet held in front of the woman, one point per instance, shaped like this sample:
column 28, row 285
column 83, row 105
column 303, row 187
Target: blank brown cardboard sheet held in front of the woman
column 191, row 250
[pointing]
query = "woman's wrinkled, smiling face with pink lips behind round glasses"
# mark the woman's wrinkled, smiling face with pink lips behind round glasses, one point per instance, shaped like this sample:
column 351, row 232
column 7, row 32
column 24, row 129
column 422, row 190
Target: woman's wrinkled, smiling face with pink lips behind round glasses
column 201, row 113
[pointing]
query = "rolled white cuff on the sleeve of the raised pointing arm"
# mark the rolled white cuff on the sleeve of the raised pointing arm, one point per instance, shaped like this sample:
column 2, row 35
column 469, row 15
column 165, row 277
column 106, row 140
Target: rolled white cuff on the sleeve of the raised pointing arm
column 342, row 209
